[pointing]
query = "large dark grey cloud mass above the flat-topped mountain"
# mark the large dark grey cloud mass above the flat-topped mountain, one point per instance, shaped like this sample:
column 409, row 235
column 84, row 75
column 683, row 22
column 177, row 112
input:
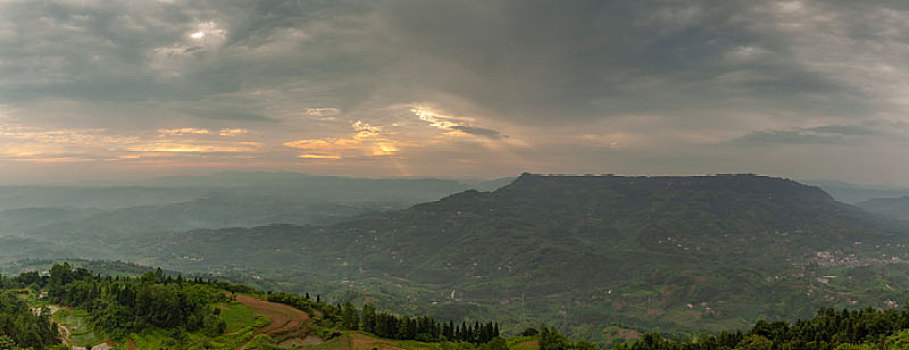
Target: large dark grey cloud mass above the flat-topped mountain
column 590, row 59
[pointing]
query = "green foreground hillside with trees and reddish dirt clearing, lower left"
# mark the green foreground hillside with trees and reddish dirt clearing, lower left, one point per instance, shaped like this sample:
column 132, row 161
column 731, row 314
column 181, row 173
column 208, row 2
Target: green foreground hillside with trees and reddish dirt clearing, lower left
column 156, row 311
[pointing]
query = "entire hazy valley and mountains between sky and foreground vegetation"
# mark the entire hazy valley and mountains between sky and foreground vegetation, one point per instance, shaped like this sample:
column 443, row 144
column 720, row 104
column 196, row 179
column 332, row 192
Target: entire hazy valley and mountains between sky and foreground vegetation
column 596, row 255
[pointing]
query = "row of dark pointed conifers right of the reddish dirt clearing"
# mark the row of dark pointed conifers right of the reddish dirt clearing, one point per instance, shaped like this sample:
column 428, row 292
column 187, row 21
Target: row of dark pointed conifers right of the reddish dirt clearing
column 390, row 326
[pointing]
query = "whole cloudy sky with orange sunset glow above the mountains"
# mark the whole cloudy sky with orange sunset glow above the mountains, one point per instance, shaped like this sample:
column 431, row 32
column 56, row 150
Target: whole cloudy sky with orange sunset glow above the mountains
column 125, row 89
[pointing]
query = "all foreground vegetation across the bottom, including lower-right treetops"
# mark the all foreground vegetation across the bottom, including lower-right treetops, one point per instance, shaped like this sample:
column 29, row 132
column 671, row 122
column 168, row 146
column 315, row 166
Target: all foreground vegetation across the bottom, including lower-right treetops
column 158, row 311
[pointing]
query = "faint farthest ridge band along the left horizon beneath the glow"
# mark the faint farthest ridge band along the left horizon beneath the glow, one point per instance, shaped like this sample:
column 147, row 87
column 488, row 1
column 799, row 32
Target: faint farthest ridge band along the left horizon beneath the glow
column 174, row 189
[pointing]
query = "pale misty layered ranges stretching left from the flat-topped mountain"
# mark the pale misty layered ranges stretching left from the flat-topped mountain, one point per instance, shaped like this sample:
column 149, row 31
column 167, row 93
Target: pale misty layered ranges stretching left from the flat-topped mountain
column 173, row 204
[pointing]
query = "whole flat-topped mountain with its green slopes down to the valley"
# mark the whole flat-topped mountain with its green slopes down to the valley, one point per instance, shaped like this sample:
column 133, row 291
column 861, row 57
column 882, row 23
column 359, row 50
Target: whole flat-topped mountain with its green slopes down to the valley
column 681, row 253
